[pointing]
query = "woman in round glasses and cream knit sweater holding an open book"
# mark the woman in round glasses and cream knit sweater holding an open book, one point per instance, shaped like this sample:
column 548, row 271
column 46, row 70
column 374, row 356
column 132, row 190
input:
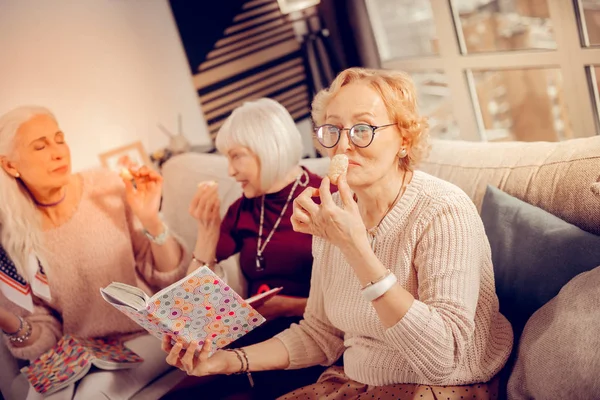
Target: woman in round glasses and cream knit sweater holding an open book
column 402, row 280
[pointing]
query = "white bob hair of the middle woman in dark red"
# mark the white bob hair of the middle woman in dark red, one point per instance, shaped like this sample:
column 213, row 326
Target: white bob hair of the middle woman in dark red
column 266, row 128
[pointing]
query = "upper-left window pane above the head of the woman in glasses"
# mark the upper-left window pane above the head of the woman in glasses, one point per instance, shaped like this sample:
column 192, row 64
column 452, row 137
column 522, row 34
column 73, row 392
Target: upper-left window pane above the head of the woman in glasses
column 403, row 28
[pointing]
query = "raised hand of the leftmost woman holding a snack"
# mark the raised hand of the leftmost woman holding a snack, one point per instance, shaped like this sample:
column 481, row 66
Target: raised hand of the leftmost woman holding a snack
column 144, row 198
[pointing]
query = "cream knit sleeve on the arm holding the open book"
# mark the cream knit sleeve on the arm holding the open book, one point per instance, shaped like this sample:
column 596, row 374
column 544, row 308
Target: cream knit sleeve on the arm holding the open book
column 314, row 340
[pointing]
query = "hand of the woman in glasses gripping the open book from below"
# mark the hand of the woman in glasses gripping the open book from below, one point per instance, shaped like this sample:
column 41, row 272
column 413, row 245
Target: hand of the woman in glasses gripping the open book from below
column 197, row 363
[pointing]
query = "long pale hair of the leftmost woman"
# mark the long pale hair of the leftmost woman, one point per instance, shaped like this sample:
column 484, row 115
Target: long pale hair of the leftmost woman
column 20, row 222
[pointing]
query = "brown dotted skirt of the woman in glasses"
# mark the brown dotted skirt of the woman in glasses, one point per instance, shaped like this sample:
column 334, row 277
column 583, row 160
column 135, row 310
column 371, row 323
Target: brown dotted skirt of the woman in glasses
column 334, row 384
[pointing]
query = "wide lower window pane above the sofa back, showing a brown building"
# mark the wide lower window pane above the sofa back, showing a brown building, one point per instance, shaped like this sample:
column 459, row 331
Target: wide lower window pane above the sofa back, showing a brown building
column 522, row 104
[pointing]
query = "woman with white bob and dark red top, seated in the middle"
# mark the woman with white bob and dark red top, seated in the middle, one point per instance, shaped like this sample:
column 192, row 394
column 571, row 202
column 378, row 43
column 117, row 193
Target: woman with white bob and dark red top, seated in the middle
column 263, row 147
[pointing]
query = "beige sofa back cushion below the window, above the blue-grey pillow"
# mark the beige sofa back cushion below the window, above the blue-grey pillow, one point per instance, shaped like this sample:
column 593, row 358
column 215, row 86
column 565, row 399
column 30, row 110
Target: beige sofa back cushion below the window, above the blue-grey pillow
column 553, row 176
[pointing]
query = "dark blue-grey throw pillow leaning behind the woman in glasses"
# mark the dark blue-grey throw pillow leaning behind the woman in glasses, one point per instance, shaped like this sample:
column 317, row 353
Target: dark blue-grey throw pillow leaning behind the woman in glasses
column 534, row 253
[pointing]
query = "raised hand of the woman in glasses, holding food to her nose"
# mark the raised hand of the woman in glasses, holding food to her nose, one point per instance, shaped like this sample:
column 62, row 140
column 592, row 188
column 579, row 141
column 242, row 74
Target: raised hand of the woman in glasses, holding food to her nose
column 341, row 226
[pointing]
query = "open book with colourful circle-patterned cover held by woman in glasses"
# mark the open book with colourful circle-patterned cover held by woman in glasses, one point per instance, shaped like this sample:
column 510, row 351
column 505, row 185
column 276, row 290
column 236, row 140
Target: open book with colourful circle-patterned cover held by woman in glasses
column 199, row 306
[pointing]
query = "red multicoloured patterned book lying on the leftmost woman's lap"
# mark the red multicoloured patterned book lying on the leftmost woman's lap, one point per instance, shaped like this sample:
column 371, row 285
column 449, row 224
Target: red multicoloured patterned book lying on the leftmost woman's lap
column 71, row 358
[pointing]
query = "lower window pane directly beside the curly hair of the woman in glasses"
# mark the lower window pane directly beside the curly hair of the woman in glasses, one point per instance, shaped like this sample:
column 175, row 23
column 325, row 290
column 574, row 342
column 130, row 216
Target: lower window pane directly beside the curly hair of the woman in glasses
column 435, row 102
